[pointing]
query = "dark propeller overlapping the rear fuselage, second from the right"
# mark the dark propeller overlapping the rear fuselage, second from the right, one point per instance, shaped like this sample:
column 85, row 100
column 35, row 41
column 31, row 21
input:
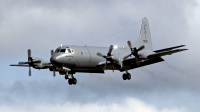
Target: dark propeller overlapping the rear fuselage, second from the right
column 108, row 57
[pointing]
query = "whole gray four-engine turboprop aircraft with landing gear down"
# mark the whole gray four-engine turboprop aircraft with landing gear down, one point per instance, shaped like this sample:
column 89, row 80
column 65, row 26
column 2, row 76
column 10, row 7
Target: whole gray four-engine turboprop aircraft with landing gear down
column 68, row 59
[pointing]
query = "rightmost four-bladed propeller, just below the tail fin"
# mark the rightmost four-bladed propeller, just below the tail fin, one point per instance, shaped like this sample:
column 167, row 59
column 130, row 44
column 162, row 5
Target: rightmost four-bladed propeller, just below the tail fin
column 134, row 52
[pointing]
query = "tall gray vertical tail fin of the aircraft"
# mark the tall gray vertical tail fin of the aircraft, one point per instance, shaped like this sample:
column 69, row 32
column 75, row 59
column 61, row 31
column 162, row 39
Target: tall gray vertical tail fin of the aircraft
column 145, row 36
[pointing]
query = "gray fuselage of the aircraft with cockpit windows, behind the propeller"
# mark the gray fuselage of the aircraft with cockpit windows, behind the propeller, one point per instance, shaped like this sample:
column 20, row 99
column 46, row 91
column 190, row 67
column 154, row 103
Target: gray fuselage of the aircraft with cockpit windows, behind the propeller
column 85, row 58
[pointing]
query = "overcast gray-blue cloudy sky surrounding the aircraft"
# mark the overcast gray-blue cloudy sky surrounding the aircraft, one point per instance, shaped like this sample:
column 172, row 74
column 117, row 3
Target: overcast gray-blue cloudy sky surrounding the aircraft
column 172, row 85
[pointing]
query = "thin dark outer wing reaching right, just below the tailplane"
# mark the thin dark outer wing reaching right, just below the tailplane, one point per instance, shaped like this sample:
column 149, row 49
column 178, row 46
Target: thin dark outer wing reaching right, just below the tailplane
column 169, row 52
